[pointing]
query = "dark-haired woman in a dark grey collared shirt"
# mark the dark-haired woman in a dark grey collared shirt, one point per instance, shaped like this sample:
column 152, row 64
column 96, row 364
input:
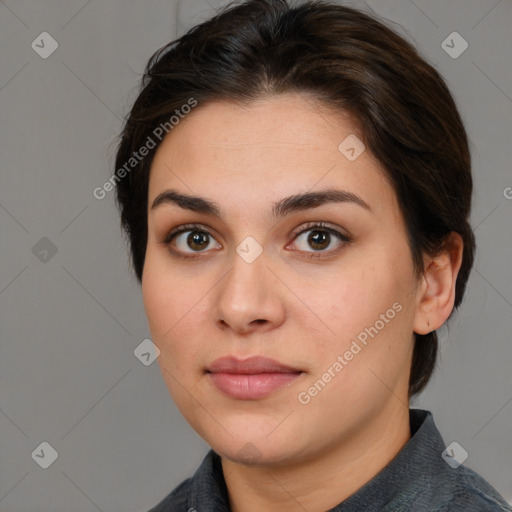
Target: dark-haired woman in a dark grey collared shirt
column 295, row 185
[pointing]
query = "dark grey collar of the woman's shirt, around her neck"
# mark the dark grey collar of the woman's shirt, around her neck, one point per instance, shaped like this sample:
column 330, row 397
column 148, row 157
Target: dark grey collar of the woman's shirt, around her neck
column 420, row 455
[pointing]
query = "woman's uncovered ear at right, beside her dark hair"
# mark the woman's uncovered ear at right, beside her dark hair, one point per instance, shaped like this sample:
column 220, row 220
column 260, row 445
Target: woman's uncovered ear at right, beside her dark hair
column 436, row 293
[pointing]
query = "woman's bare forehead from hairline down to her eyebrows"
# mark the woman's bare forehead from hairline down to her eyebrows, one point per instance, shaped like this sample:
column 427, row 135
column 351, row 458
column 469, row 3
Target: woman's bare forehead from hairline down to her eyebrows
column 261, row 152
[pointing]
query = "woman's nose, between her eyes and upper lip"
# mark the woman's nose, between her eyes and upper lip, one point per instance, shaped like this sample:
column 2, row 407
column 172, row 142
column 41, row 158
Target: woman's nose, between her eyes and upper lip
column 250, row 296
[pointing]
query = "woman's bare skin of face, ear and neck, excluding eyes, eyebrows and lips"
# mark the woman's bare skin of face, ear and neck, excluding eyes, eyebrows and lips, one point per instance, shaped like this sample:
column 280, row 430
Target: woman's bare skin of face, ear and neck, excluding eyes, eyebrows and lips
column 301, row 311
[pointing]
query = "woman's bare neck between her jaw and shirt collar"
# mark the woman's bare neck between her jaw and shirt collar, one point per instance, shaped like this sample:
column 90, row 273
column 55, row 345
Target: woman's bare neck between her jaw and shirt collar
column 323, row 482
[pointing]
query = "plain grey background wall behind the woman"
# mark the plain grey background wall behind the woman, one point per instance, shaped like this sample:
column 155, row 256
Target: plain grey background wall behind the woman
column 70, row 321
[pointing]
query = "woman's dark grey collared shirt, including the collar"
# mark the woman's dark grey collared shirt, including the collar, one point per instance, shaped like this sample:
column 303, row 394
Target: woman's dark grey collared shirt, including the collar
column 418, row 479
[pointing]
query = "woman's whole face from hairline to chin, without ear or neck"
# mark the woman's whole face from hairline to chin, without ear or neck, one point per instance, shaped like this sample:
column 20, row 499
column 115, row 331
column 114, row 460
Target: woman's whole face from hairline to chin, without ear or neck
column 325, row 287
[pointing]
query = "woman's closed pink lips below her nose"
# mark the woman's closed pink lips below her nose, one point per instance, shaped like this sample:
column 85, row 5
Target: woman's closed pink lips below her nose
column 252, row 378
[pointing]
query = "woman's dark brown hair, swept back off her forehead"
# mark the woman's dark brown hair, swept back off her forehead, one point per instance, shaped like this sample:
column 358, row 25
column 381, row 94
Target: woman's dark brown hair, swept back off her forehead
column 352, row 63
